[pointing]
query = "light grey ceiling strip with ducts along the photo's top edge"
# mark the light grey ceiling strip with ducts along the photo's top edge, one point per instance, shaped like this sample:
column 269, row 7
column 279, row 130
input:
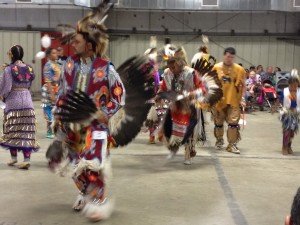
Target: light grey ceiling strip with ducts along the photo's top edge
column 176, row 5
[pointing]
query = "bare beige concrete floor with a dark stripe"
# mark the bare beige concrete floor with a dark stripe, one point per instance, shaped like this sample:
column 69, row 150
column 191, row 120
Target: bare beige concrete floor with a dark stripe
column 256, row 187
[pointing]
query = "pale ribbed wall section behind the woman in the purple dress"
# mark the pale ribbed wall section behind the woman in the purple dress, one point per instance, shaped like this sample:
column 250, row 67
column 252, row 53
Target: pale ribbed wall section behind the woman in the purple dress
column 30, row 41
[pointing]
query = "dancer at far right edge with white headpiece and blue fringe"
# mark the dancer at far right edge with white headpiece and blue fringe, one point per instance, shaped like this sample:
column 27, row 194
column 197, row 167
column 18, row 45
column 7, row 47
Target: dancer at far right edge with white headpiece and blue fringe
column 290, row 113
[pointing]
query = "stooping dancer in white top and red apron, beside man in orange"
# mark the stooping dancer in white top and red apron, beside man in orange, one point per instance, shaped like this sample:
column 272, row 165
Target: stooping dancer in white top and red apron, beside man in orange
column 184, row 88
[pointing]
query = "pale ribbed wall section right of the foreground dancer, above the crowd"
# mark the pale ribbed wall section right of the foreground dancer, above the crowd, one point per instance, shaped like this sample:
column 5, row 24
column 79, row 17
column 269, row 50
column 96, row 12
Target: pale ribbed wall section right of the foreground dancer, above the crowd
column 250, row 50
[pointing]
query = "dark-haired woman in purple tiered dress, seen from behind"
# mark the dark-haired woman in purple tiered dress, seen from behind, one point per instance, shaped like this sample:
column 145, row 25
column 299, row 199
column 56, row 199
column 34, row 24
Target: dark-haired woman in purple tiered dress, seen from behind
column 19, row 116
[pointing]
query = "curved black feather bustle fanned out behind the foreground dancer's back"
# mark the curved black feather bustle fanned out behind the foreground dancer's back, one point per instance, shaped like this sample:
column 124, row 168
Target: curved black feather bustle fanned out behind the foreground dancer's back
column 137, row 76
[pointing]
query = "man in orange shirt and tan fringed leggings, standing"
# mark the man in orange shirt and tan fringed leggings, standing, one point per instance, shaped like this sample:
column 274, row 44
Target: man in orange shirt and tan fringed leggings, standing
column 232, row 78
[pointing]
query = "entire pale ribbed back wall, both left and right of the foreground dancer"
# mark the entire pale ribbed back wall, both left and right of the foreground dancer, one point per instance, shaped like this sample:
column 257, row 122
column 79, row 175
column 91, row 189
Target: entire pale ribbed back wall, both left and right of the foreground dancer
column 250, row 50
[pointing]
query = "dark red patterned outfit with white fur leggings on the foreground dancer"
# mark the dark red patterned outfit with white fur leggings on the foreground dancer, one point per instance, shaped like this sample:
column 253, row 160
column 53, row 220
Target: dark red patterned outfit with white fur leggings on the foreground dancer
column 89, row 142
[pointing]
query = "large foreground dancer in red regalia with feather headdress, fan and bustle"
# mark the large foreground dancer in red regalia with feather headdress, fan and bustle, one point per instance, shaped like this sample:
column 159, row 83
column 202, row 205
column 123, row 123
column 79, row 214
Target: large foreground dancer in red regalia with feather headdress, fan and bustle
column 92, row 114
